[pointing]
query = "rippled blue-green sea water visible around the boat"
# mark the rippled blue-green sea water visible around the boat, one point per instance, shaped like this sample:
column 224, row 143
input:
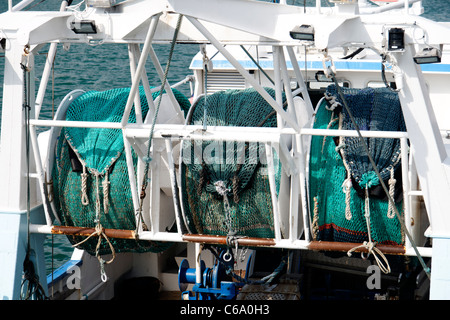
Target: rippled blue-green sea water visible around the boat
column 103, row 67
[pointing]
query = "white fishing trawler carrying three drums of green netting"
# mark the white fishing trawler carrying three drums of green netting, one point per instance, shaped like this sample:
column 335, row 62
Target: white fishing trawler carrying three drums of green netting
column 309, row 162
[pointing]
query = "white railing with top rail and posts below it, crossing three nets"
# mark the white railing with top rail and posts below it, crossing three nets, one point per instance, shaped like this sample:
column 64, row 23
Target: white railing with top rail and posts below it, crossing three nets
column 137, row 134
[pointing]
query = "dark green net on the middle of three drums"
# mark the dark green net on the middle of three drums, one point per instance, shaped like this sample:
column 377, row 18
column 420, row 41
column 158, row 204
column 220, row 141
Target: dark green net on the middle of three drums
column 238, row 168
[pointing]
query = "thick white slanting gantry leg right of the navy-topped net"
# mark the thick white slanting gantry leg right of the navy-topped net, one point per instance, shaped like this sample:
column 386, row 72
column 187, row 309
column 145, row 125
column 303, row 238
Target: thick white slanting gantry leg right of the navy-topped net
column 432, row 158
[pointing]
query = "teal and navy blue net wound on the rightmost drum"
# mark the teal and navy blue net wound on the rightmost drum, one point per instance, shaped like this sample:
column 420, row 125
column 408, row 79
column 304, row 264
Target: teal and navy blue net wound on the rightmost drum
column 340, row 172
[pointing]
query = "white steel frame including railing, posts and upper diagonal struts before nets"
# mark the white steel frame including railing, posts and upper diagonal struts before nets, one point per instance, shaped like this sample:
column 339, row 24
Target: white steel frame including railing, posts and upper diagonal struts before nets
column 137, row 133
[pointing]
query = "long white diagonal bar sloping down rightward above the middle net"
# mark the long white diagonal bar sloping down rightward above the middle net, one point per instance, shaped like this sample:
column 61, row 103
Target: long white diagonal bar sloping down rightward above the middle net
column 243, row 72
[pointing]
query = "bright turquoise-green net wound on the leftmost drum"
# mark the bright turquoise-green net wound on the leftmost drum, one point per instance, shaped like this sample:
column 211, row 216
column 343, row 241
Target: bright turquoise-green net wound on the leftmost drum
column 100, row 153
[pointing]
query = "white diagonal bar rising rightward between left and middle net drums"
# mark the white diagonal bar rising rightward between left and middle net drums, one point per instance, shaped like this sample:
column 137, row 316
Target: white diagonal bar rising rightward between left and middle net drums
column 138, row 73
